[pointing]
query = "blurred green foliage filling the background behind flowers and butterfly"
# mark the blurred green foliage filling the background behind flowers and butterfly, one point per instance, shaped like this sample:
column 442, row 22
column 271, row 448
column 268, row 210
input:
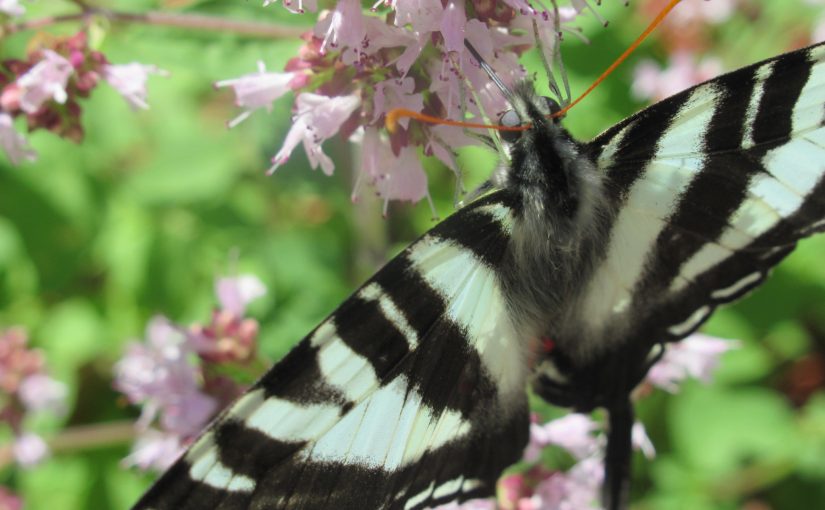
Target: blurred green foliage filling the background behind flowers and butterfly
column 142, row 216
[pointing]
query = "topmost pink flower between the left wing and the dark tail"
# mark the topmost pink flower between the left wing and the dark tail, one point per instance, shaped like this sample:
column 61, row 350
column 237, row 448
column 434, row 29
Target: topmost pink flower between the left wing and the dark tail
column 574, row 433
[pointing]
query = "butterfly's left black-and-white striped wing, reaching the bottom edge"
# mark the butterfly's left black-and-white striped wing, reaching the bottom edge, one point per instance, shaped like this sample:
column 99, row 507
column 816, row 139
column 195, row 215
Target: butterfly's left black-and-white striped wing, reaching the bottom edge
column 409, row 395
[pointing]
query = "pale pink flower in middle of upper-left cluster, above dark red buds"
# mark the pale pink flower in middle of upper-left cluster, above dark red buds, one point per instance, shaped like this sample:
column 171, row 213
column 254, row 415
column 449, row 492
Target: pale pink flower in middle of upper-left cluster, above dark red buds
column 44, row 82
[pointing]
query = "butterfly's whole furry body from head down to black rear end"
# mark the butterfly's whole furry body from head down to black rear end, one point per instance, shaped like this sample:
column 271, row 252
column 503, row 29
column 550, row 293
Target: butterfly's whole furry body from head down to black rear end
column 561, row 226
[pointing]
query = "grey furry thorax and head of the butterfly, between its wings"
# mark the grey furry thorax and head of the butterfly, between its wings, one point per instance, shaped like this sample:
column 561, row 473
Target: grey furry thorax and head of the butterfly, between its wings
column 552, row 256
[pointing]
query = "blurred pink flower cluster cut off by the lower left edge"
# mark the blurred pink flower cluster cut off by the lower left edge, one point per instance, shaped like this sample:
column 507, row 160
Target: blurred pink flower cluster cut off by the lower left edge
column 26, row 389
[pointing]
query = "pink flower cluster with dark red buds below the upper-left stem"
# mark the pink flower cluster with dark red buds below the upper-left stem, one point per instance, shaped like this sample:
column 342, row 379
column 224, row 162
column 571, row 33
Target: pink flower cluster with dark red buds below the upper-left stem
column 47, row 87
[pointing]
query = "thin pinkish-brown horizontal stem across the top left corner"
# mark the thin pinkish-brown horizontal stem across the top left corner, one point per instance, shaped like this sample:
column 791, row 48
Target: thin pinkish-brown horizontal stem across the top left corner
column 189, row 21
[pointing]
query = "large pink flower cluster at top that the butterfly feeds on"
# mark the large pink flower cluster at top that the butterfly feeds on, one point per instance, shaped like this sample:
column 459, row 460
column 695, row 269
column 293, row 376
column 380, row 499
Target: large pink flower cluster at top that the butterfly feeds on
column 355, row 67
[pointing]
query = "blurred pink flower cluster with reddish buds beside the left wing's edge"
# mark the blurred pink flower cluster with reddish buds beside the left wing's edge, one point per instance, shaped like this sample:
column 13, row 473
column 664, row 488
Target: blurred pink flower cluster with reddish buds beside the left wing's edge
column 175, row 373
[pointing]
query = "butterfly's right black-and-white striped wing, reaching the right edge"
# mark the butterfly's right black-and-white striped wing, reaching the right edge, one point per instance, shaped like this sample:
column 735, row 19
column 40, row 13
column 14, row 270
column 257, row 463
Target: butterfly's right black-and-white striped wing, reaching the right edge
column 713, row 186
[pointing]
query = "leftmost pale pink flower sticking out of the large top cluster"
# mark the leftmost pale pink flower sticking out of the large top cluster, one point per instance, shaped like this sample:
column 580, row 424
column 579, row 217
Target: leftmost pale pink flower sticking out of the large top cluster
column 257, row 90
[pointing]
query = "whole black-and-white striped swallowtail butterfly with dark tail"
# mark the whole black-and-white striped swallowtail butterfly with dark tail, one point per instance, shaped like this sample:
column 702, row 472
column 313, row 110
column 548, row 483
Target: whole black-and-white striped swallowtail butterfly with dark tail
column 412, row 393
